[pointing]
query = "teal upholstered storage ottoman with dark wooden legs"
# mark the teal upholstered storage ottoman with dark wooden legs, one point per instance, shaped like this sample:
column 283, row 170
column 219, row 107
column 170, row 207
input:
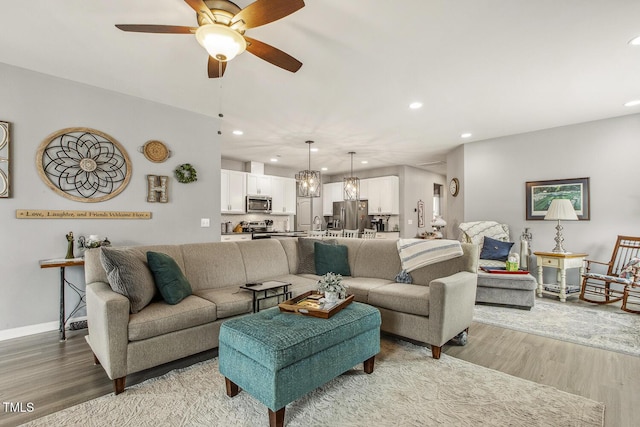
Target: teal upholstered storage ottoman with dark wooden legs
column 278, row 357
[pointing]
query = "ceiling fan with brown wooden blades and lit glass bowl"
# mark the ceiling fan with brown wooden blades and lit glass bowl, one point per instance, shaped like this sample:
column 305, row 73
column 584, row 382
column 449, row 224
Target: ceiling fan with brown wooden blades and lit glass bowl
column 221, row 28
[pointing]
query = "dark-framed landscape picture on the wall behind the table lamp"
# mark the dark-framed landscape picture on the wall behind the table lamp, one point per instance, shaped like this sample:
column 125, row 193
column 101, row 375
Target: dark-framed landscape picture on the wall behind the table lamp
column 541, row 193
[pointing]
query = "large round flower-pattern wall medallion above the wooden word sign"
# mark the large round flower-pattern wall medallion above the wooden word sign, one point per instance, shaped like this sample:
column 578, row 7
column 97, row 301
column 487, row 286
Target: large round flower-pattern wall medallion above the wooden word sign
column 83, row 164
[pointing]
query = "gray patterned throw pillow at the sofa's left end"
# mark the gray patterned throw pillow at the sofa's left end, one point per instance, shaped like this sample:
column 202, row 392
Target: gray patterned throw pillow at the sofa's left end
column 129, row 275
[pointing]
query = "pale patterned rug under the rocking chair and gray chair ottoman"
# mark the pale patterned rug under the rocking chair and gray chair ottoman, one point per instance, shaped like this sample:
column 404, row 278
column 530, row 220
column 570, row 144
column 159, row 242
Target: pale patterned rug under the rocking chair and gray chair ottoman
column 601, row 326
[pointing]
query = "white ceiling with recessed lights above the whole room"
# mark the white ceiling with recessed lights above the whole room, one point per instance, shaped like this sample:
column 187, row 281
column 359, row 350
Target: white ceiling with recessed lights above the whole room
column 489, row 67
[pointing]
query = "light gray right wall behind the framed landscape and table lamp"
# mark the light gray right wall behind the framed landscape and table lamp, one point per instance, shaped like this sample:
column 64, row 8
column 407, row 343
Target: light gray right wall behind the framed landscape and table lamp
column 606, row 151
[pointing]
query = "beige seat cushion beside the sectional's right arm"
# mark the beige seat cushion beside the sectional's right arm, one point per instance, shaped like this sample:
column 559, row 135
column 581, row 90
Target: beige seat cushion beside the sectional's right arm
column 402, row 297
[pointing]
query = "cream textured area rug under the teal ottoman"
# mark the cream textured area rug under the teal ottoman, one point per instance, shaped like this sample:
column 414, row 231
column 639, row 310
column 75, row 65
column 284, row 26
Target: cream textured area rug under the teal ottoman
column 407, row 388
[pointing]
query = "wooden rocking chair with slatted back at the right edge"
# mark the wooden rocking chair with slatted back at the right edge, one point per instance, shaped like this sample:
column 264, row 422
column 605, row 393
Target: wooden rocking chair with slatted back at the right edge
column 596, row 288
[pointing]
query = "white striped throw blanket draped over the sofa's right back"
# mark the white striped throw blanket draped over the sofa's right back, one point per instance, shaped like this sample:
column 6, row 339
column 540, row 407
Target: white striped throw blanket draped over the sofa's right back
column 416, row 253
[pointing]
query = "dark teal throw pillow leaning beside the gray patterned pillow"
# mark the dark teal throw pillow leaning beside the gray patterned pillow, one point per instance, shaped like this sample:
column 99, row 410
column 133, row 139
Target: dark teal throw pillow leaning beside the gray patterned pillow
column 171, row 282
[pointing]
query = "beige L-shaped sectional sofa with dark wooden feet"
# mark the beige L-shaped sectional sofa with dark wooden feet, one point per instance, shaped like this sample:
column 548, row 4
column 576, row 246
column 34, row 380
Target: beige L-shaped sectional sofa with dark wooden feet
column 434, row 309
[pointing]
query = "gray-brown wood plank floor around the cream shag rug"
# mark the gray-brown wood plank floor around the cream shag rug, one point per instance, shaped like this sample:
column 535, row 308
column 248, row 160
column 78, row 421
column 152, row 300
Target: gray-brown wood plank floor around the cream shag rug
column 53, row 375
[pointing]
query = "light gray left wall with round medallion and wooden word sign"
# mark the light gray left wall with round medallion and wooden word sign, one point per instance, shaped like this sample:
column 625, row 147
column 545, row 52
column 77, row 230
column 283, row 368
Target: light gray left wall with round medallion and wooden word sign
column 38, row 105
